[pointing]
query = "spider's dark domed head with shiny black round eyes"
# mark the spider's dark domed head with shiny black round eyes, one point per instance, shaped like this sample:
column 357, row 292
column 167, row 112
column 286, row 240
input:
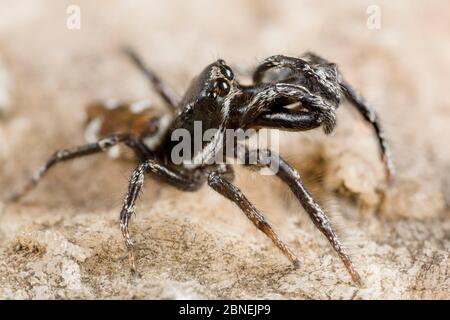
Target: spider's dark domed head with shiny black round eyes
column 209, row 96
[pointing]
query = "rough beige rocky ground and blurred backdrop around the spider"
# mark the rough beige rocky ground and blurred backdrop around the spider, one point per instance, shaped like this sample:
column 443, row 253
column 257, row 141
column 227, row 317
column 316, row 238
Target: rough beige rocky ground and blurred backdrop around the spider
column 63, row 240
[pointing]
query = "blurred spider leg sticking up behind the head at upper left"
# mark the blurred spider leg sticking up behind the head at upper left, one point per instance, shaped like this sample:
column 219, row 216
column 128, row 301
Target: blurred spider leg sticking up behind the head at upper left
column 166, row 93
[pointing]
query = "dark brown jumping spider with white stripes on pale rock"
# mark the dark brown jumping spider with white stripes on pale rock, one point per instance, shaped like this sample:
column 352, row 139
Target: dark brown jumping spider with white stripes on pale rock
column 219, row 101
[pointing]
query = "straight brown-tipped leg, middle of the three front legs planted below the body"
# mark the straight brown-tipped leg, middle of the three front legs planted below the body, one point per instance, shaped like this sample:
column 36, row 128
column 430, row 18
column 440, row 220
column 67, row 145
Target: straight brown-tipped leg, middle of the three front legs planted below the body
column 221, row 185
